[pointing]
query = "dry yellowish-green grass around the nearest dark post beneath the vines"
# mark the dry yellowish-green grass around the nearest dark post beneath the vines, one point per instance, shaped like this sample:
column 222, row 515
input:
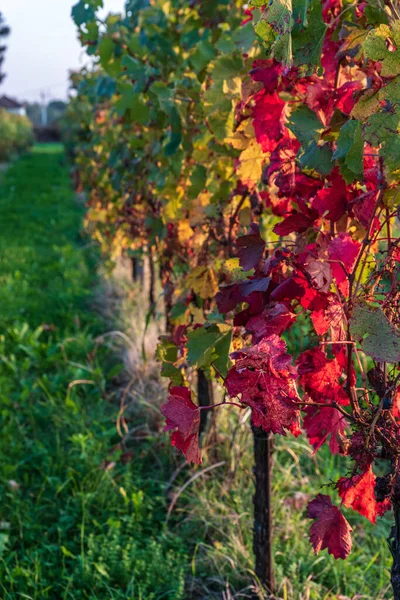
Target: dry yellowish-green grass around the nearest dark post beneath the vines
column 225, row 533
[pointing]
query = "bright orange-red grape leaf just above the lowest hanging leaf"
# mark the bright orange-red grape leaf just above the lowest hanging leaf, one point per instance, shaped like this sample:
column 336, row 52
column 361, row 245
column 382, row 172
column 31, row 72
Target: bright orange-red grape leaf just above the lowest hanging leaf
column 358, row 493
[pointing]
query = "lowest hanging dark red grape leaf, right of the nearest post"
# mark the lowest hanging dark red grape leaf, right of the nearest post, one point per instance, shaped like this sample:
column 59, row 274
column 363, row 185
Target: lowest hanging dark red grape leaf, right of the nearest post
column 330, row 529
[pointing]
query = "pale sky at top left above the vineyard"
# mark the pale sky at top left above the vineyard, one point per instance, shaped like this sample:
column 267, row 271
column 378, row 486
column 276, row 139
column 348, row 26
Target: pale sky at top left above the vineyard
column 42, row 47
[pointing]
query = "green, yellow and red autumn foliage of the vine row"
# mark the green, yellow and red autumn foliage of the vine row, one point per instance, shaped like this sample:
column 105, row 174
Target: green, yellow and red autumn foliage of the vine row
column 261, row 165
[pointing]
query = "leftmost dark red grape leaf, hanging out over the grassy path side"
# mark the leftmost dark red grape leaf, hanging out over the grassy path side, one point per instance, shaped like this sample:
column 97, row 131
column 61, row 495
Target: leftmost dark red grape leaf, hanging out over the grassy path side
column 184, row 416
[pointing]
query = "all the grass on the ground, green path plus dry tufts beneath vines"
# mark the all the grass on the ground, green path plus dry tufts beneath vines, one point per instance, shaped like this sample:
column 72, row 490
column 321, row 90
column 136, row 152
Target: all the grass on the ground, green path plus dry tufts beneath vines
column 83, row 516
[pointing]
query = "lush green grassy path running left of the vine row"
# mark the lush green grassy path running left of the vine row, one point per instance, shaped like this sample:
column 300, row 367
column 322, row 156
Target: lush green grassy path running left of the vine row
column 70, row 528
